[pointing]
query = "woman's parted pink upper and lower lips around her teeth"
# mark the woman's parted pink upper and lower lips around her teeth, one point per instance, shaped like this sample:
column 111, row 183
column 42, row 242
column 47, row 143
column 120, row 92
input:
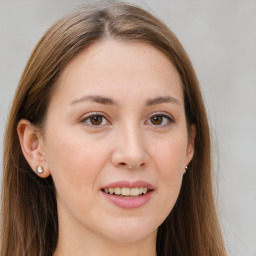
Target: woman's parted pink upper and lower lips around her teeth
column 129, row 202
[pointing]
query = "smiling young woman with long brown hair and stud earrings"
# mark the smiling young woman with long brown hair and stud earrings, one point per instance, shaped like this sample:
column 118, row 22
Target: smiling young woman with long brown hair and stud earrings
column 107, row 147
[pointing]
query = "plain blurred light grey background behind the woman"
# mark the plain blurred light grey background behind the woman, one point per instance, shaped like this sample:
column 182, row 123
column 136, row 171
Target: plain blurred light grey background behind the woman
column 220, row 37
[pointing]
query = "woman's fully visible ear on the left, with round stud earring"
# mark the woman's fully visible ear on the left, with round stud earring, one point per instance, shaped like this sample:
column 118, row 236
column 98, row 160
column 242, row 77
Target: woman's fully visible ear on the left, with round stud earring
column 32, row 146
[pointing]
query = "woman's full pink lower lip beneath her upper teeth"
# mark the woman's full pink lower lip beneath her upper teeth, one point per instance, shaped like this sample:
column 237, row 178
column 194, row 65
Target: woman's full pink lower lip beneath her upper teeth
column 129, row 203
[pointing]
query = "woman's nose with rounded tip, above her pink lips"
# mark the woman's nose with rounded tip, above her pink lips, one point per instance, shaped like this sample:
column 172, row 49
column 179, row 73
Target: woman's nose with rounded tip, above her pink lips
column 129, row 150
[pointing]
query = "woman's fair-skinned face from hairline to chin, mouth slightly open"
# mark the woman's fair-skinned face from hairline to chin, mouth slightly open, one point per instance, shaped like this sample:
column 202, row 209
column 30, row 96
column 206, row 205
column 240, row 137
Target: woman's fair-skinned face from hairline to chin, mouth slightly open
column 115, row 130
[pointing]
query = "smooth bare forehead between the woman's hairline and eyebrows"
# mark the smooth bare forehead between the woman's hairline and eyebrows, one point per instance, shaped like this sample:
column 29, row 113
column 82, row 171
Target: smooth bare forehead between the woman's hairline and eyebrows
column 119, row 69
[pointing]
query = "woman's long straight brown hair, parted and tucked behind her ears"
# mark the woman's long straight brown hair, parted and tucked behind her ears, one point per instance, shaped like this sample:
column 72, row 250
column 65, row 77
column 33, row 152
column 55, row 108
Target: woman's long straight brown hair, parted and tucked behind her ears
column 29, row 223
